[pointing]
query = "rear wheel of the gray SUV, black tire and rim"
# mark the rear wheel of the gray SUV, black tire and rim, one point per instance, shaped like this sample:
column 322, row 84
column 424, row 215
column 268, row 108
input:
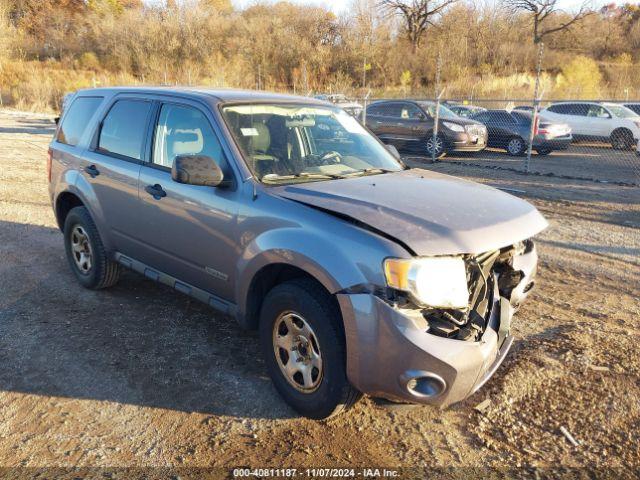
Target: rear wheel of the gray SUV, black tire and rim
column 86, row 254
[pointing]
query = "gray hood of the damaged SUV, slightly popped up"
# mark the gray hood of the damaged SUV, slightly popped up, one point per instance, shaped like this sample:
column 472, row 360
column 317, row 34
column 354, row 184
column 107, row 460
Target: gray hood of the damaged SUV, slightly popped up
column 429, row 213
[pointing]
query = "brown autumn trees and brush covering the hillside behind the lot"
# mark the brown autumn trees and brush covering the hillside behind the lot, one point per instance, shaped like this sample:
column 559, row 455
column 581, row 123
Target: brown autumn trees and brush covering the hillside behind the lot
column 391, row 47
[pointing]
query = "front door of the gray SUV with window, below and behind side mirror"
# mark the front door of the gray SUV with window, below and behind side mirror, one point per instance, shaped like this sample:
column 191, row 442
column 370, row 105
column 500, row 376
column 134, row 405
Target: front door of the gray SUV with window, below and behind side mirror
column 189, row 231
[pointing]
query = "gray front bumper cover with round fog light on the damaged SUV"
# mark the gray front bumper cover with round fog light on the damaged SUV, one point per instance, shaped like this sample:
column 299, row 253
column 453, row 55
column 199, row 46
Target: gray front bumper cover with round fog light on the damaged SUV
column 387, row 349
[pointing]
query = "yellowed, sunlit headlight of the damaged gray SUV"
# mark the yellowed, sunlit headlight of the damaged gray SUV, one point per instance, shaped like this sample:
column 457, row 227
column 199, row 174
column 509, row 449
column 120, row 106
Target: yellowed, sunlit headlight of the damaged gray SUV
column 439, row 282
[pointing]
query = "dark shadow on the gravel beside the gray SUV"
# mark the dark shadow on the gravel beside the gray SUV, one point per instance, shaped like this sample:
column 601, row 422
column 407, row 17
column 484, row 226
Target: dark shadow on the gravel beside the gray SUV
column 138, row 343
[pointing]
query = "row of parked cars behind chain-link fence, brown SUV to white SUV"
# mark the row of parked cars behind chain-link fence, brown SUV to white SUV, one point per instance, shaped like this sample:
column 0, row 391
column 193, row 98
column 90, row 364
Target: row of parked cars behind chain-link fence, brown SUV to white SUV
column 410, row 125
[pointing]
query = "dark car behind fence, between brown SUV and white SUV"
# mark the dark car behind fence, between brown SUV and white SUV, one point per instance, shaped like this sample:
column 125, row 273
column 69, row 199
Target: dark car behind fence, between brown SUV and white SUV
column 511, row 130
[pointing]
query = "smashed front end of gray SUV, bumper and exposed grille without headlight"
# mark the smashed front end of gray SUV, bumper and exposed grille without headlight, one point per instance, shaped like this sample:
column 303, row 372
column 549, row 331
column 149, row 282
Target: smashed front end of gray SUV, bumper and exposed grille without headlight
column 420, row 354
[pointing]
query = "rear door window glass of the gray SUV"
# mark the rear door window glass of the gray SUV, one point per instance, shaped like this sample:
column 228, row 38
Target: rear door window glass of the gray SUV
column 123, row 129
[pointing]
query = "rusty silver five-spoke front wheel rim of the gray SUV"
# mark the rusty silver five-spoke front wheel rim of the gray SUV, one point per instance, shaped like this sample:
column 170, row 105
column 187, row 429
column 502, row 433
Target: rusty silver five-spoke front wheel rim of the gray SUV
column 297, row 352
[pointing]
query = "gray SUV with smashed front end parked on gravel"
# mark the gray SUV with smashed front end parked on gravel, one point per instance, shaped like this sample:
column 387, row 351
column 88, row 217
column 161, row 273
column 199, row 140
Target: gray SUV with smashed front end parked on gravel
column 361, row 275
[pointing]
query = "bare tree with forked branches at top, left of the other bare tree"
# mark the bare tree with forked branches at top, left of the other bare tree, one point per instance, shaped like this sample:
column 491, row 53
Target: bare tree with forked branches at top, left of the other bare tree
column 417, row 15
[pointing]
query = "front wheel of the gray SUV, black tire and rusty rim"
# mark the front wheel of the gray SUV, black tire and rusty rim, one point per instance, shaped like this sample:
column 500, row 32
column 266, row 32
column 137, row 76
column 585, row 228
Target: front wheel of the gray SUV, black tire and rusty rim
column 303, row 343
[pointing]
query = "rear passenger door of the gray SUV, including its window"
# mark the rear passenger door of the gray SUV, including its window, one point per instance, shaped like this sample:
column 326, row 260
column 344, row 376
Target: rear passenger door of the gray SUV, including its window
column 112, row 164
